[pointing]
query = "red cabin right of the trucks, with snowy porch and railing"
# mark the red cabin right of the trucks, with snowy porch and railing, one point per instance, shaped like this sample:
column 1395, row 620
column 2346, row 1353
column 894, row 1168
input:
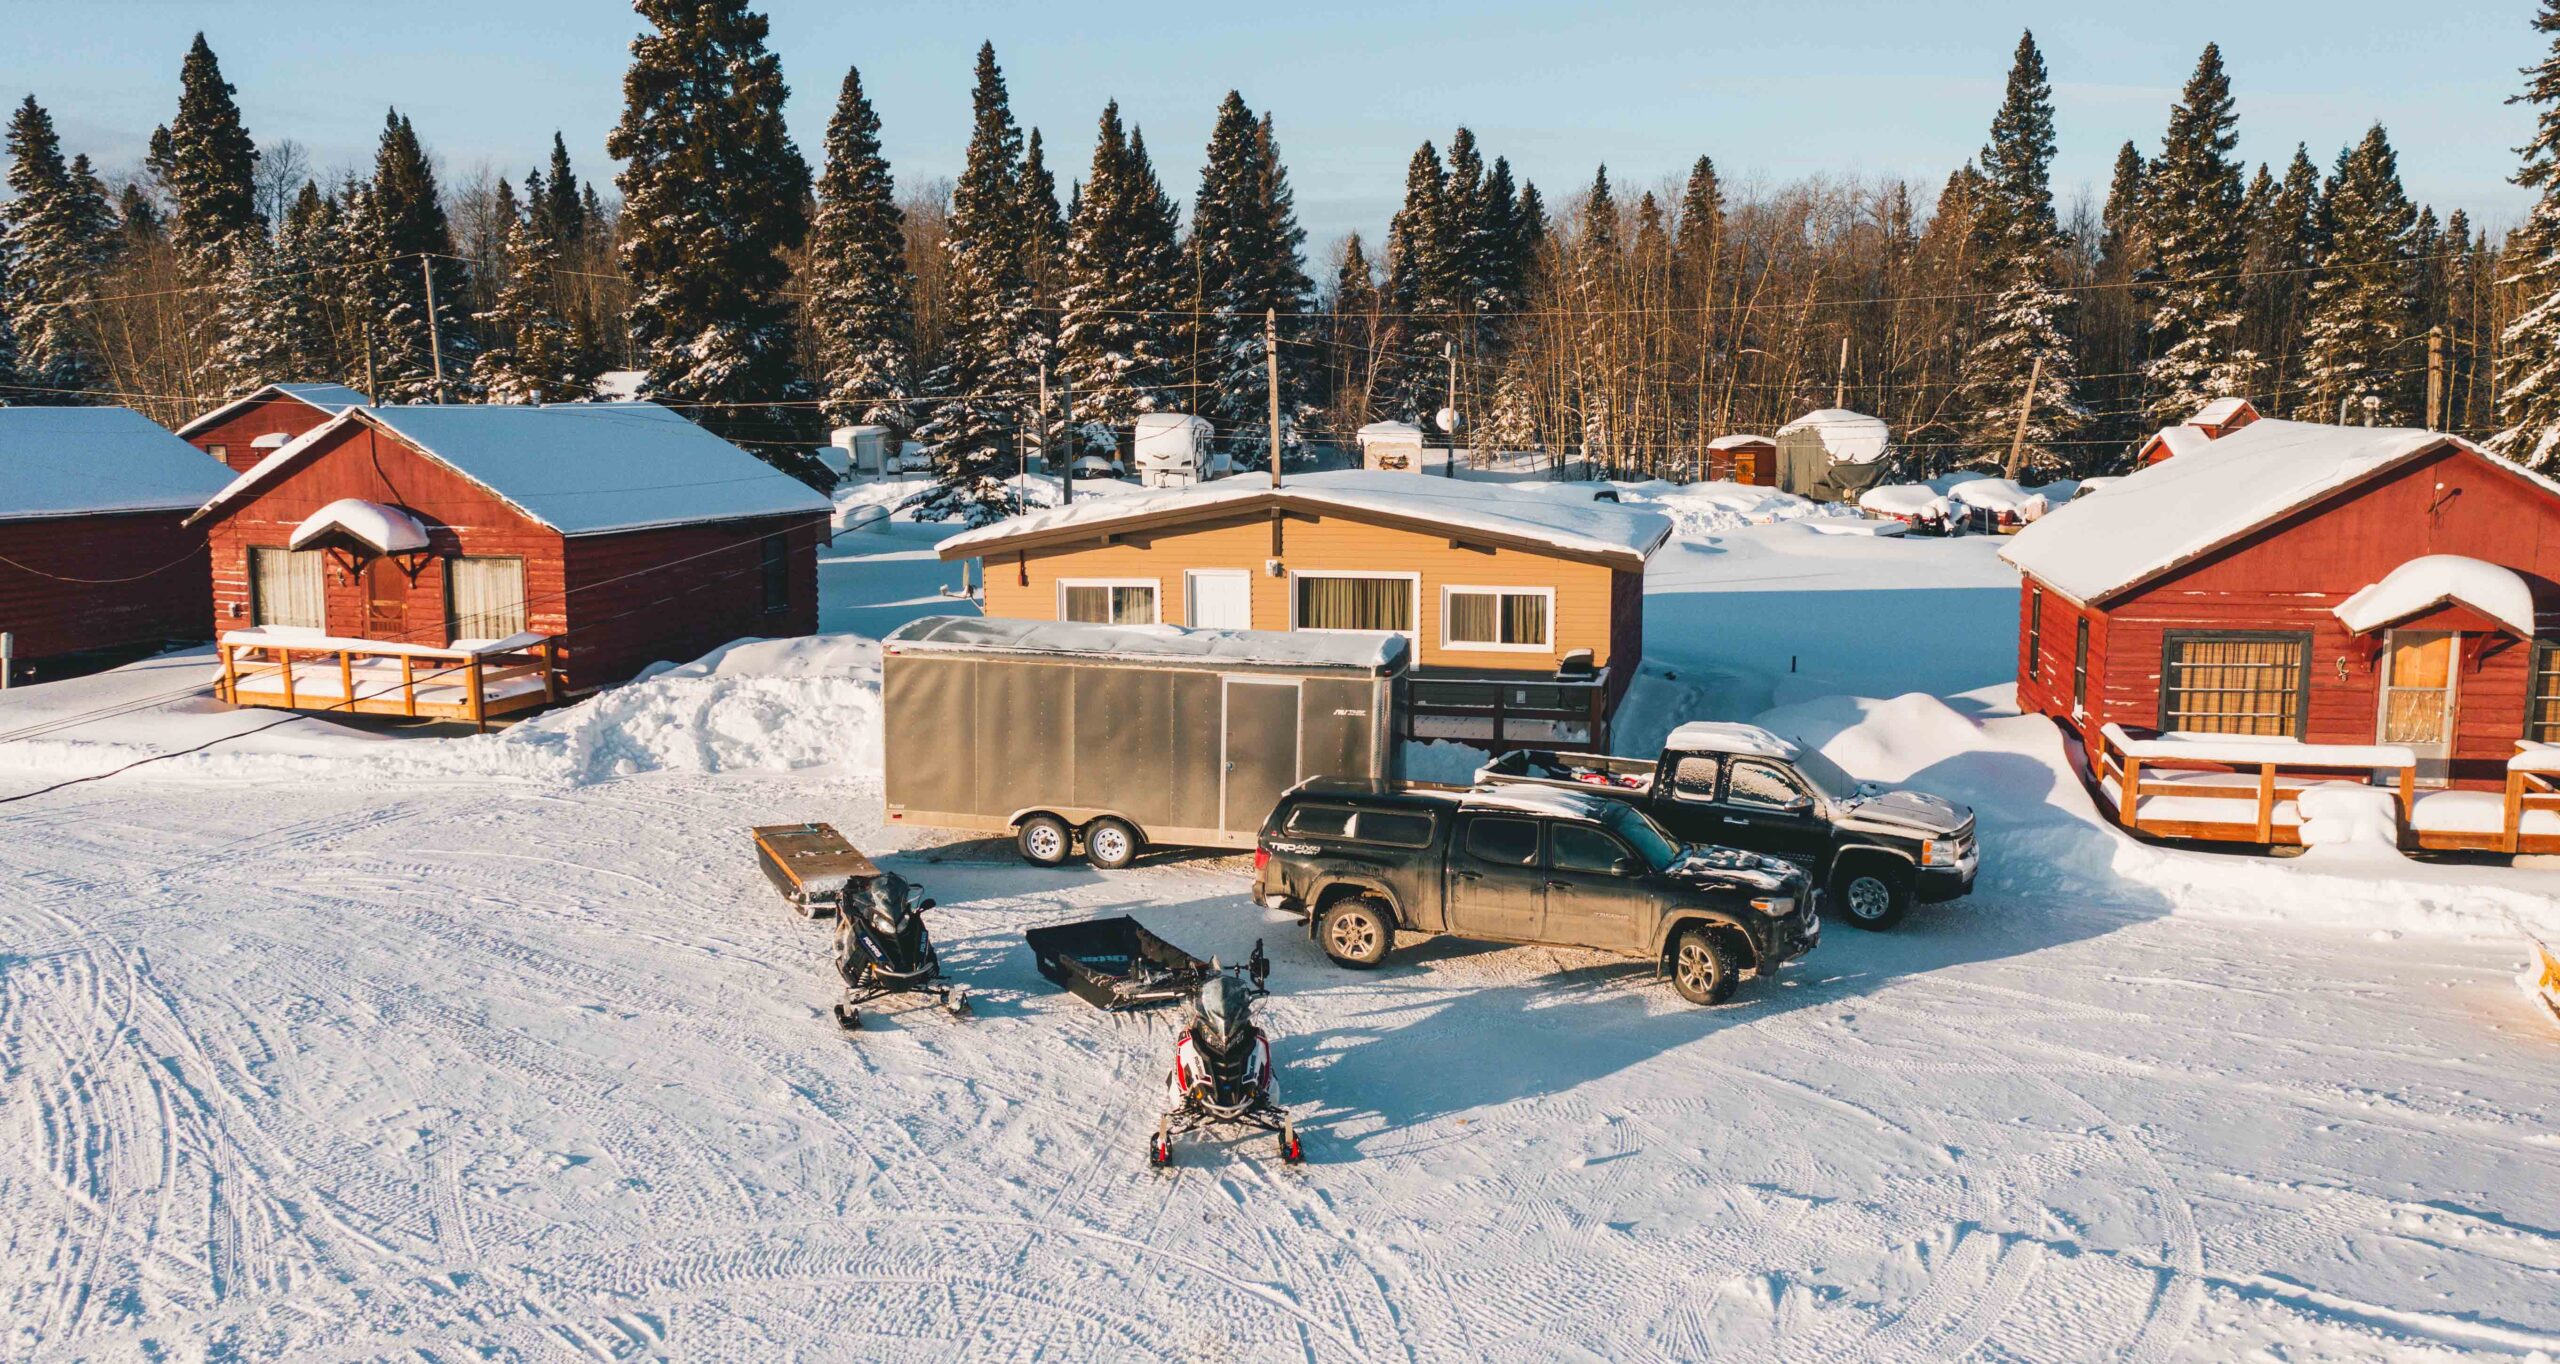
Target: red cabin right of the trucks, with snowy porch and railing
column 2305, row 603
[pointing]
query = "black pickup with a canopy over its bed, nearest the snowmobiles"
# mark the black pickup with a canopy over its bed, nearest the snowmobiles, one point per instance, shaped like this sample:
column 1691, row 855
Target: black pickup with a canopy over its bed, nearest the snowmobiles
column 1363, row 861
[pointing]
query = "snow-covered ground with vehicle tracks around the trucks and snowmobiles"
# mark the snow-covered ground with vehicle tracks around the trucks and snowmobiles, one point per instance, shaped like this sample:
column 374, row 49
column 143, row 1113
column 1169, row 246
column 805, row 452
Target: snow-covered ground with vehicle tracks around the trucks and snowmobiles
column 349, row 1043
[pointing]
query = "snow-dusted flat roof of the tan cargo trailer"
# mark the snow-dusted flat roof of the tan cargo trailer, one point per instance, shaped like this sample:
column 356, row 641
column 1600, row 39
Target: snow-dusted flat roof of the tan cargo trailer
column 1151, row 644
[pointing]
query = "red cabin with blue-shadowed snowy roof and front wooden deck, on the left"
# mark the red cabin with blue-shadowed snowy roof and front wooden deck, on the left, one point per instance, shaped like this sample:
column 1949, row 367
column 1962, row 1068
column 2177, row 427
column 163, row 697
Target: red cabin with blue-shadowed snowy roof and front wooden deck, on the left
column 467, row 562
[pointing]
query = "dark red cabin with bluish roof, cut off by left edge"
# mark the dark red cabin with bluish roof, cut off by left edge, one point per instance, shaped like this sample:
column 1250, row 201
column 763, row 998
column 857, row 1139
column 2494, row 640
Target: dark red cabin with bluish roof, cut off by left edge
column 96, row 551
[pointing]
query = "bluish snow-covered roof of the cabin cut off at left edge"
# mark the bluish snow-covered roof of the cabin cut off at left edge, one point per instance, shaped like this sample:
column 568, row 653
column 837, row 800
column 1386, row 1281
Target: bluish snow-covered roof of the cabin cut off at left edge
column 65, row 462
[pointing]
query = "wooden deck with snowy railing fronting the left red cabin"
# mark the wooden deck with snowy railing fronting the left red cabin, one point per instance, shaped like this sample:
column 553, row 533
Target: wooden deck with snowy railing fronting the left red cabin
column 372, row 677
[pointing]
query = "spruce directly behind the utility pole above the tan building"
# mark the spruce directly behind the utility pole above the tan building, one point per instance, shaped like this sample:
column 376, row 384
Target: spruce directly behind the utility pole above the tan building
column 1251, row 262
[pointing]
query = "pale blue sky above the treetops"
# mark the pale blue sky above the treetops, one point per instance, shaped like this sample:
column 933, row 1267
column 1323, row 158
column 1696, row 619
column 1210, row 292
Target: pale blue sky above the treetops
column 1770, row 91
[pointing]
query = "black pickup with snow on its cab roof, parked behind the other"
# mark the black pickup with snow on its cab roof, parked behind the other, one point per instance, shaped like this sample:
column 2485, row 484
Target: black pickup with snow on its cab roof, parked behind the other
column 1873, row 848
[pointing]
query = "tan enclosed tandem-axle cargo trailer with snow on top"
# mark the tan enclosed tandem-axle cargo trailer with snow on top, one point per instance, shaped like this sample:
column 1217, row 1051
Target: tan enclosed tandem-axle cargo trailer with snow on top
column 1117, row 738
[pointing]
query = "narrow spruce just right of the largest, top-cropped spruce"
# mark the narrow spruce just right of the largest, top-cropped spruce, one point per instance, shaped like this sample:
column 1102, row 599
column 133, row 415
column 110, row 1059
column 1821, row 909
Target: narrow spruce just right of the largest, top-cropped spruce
column 861, row 293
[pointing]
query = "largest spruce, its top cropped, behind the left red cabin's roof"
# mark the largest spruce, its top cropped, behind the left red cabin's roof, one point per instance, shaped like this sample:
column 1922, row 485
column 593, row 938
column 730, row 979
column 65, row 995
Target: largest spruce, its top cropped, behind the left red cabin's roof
column 713, row 196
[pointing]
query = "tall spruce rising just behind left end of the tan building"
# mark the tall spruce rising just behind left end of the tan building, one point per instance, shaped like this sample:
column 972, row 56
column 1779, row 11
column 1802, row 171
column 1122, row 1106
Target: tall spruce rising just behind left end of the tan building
column 989, row 331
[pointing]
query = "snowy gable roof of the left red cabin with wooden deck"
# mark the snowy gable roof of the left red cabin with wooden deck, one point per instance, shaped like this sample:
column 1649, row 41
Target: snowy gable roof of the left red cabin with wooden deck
column 577, row 467
